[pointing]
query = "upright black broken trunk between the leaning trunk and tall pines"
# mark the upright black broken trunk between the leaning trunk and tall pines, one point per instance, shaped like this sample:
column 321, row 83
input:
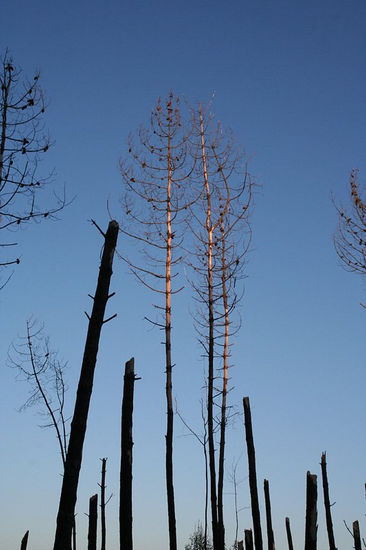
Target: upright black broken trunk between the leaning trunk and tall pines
column 125, row 500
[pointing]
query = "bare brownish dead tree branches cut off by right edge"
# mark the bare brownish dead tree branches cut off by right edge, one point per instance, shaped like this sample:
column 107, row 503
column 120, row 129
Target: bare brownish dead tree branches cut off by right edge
column 350, row 239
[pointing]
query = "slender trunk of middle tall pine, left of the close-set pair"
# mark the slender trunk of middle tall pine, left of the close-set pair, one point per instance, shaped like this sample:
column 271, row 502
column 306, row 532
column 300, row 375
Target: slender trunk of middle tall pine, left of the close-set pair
column 210, row 389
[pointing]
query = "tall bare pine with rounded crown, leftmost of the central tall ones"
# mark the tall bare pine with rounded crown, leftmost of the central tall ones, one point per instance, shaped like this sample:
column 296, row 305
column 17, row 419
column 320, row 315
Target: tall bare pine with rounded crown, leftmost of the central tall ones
column 155, row 203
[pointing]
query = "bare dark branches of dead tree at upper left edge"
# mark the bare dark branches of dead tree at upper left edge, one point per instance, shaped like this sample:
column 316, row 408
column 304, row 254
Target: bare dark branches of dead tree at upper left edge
column 23, row 141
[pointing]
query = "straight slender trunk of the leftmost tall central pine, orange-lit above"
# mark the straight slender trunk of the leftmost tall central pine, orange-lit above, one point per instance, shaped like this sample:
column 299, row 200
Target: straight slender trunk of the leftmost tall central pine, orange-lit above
column 168, row 353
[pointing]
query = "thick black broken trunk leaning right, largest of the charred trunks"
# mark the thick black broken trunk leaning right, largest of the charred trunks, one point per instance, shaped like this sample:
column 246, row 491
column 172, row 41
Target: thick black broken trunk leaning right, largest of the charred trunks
column 66, row 511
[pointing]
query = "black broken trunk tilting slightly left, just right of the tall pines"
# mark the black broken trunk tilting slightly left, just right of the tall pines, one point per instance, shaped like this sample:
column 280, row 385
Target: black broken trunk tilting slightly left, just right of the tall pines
column 252, row 476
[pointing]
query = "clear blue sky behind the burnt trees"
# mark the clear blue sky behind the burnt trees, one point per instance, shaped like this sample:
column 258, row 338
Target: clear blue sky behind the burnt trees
column 289, row 78
